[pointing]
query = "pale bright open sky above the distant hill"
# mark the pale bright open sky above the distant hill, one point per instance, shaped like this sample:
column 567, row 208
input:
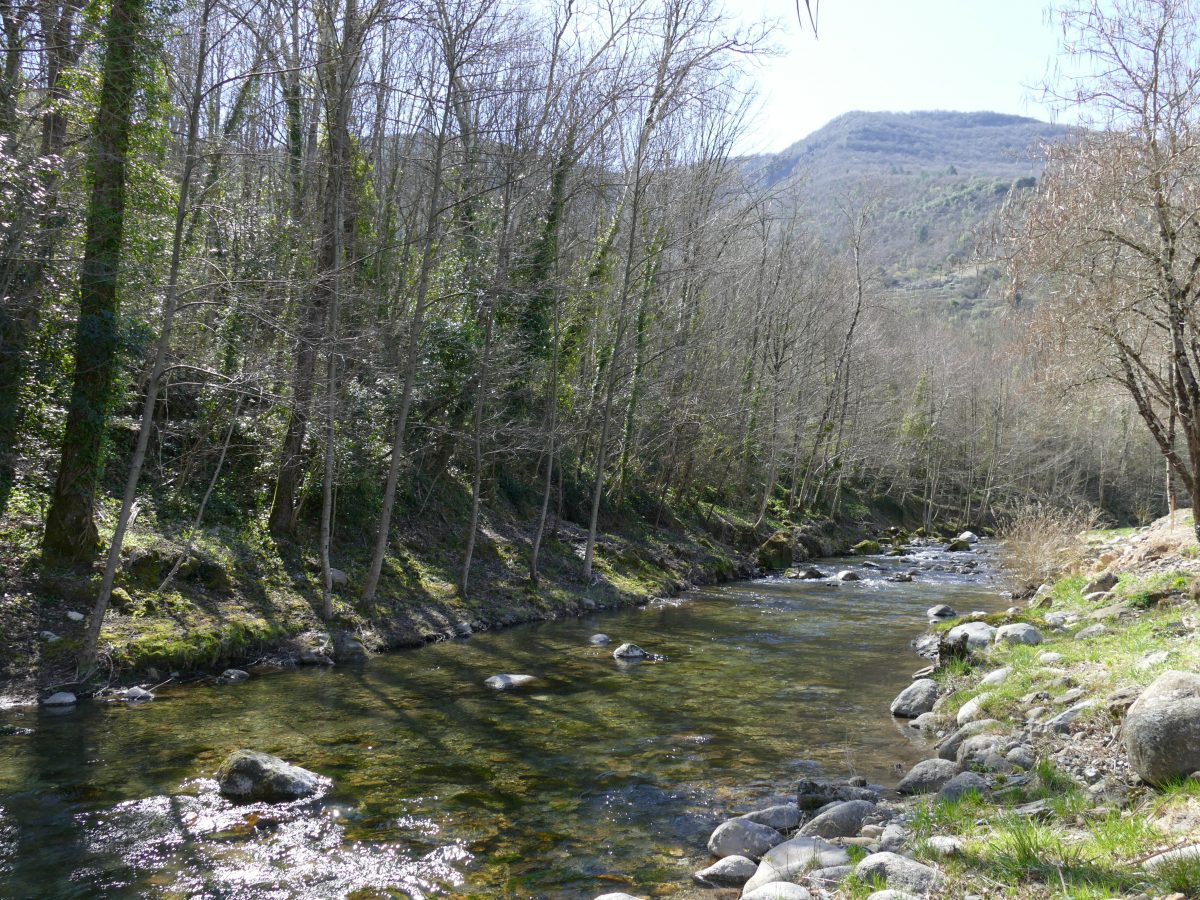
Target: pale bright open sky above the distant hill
column 898, row 56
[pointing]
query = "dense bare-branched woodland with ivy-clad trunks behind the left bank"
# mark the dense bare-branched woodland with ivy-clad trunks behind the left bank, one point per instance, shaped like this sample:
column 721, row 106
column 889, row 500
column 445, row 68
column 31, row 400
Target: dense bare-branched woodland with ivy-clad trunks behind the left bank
column 411, row 293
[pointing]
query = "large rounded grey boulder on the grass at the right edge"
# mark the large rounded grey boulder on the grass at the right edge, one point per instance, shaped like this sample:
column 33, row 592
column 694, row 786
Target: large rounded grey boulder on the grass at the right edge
column 1162, row 729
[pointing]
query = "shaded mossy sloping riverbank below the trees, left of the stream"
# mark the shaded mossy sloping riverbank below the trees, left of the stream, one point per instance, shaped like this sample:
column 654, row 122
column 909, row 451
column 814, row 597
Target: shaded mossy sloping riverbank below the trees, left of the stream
column 237, row 598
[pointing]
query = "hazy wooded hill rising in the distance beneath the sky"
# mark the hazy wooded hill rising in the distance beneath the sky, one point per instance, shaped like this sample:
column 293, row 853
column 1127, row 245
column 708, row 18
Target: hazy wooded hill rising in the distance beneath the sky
column 935, row 179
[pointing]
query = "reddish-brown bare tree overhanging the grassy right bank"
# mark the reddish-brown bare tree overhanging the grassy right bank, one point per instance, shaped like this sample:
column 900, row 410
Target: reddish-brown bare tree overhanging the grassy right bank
column 1113, row 226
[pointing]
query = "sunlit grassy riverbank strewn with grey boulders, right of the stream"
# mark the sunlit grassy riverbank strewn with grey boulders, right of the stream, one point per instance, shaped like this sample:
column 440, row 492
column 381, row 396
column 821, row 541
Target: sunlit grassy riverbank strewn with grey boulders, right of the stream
column 1069, row 731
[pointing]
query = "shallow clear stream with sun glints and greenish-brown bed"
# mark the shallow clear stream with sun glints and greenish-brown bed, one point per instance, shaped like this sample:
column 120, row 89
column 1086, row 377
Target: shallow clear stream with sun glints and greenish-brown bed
column 602, row 777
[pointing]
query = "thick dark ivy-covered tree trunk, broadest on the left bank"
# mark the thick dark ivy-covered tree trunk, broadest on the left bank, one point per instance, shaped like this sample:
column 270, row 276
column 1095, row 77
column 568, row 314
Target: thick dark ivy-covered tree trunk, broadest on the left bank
column 71, row 536
